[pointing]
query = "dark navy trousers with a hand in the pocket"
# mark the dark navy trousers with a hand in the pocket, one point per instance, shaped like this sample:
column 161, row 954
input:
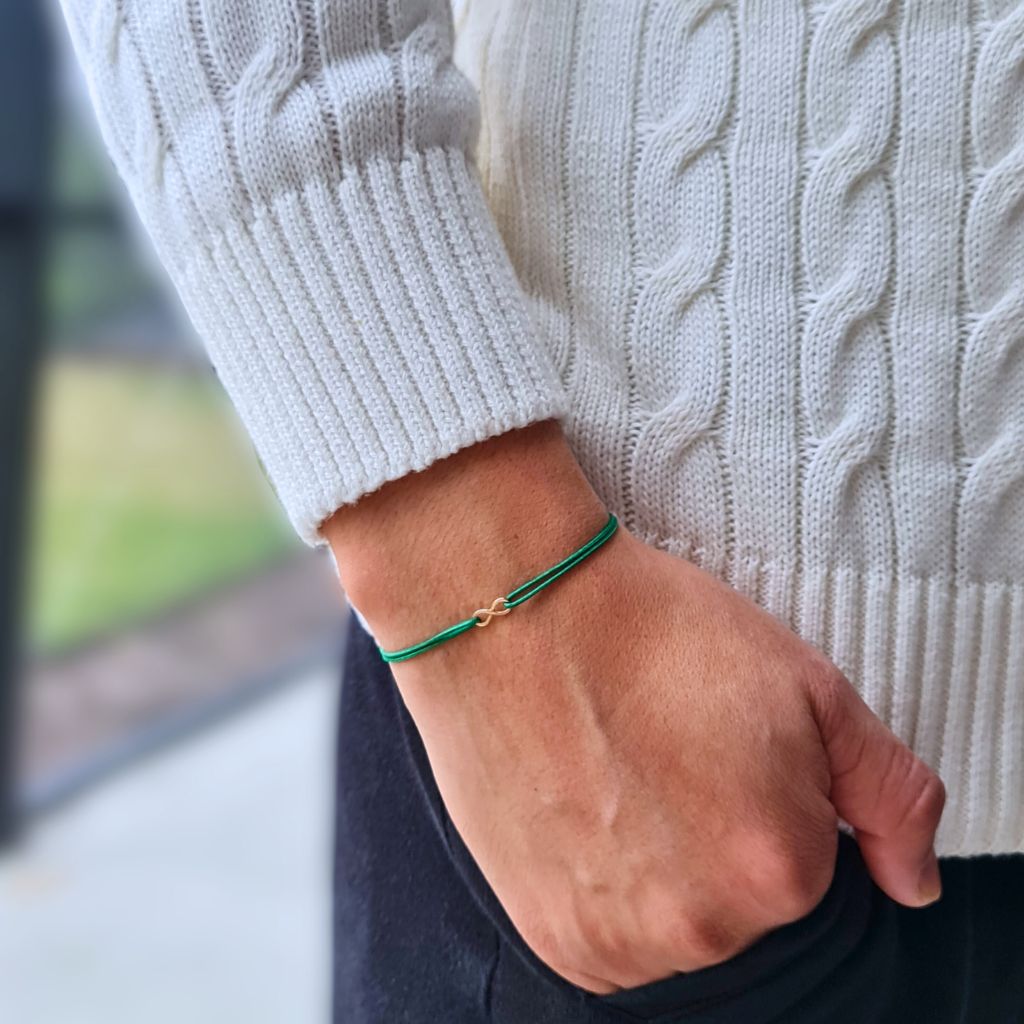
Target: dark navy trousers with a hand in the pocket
column 421, row 940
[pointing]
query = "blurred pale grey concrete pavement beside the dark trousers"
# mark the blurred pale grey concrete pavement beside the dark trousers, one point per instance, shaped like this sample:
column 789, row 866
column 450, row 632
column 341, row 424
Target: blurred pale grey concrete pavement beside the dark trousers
column 193, row 889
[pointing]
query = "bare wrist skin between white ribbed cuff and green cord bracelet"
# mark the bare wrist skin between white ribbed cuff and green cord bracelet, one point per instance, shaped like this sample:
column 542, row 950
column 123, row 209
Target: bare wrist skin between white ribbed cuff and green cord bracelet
column 429, row 549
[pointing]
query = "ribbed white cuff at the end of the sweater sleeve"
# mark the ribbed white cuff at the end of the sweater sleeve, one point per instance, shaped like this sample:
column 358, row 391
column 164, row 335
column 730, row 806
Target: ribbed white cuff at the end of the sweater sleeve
column 368, row 328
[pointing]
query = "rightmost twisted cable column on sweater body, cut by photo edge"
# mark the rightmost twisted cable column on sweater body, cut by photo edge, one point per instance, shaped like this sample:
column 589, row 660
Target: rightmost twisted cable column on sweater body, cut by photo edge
column 991, row 521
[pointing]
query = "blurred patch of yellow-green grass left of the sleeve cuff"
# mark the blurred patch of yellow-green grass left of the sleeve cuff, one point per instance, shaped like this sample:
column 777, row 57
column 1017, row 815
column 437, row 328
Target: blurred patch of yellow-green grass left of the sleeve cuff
column 146, row 493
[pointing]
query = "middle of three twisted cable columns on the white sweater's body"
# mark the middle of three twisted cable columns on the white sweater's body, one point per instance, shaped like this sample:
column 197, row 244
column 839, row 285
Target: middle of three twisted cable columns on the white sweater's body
column 847, row 255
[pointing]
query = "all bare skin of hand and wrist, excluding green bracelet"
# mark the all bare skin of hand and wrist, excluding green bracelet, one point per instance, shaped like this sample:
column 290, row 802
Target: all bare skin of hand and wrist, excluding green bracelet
column 648, row 767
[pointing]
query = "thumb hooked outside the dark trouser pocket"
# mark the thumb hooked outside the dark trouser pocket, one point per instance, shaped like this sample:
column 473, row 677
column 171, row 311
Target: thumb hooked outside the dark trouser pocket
column 890, row 797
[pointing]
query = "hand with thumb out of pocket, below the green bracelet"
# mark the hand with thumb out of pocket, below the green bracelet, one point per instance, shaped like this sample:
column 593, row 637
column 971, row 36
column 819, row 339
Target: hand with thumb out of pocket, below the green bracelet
column 649, row 776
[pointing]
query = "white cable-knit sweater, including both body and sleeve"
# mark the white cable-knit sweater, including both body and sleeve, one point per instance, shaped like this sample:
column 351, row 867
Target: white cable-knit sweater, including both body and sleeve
column 764, row 261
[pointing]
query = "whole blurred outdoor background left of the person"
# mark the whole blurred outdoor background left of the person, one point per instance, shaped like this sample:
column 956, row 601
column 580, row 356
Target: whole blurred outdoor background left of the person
column 168, row 651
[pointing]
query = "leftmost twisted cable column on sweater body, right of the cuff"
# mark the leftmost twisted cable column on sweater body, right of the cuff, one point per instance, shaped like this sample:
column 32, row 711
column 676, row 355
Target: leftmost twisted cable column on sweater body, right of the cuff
column 680, row 212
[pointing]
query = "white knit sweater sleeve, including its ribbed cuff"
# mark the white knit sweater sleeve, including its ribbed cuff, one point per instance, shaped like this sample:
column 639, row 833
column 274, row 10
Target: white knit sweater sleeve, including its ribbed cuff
column 305, row 169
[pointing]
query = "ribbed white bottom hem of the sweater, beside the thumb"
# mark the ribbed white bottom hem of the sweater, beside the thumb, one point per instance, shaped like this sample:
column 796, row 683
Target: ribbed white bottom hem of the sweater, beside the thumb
column 938, row 659
